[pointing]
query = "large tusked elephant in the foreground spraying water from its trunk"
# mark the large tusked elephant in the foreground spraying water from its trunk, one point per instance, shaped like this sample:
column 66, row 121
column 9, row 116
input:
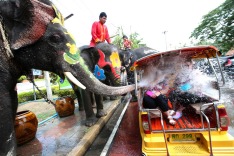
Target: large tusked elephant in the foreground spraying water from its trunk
column 33, row 36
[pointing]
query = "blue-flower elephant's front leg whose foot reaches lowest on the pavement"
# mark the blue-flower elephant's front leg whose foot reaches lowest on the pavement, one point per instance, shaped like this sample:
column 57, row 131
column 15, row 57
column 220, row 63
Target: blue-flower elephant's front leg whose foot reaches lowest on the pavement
column 90, row 116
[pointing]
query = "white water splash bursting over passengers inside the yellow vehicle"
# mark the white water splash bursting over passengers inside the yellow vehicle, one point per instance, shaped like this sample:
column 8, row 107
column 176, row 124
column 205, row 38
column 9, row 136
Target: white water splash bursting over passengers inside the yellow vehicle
column 180, row 74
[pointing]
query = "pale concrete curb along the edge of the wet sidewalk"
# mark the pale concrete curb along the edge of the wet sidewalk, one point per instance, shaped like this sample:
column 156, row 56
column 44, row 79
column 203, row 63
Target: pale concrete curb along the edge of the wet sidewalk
column 90, row 136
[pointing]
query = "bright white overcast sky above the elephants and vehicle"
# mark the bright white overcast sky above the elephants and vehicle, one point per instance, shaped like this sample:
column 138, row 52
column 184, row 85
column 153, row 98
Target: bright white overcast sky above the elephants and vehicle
column 148, row 18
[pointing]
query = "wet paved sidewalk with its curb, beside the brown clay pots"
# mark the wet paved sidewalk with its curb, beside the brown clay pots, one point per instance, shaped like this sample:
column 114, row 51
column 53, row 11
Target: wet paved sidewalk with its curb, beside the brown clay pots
column 66, row 136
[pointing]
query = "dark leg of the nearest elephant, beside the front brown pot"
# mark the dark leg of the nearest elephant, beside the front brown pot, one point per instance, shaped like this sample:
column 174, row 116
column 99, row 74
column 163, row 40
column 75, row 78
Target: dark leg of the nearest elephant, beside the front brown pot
column 7, row 118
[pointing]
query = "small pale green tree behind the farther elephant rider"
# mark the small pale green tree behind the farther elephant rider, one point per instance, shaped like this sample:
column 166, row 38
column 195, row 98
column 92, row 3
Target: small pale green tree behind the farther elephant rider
column 134, row 37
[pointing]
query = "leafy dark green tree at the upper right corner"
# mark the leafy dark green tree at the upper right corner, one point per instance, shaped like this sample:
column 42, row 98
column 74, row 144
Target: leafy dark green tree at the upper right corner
column 217, row 27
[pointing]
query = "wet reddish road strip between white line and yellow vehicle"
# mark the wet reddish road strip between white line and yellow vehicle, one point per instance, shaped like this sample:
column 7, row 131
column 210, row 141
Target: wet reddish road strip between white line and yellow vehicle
column 127, row 141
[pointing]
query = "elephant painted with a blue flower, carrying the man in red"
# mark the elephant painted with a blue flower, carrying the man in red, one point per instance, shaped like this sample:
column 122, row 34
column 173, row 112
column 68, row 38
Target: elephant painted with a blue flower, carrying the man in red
column 103, row 60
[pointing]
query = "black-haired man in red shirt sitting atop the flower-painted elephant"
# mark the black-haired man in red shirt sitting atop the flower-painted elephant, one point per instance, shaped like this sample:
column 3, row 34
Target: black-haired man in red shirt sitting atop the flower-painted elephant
column 99, row 31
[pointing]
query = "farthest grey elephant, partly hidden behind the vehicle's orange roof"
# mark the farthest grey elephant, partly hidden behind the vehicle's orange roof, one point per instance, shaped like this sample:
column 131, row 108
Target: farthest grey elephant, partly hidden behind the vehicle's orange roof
column 128, row 57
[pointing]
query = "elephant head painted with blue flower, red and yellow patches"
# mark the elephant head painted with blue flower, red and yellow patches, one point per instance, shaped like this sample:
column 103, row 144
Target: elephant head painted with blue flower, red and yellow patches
column 103, row 60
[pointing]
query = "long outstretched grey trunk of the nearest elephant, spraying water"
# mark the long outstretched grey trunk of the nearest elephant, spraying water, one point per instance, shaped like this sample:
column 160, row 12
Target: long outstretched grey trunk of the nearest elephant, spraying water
column 94, row 85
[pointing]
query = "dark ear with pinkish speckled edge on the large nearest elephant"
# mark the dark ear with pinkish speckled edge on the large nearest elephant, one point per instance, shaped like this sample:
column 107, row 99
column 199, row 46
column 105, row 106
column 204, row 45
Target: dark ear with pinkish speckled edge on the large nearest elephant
column 31, row 20
